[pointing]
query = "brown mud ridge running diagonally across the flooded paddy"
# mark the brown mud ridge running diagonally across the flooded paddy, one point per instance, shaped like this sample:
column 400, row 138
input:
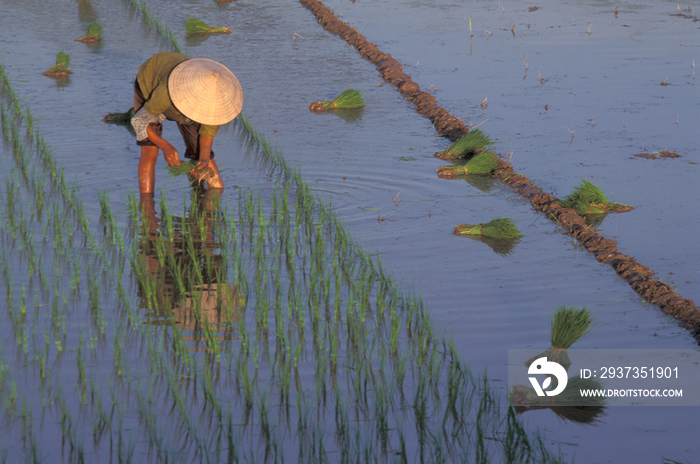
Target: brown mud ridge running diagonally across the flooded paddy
column 605, row 250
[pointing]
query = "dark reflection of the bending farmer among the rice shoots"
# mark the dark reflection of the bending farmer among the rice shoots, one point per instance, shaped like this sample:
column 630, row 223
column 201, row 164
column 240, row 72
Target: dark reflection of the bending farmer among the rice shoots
column 182, row 276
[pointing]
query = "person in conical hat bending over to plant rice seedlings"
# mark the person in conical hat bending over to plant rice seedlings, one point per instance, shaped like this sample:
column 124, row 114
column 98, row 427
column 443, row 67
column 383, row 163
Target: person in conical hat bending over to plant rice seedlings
column 199, row 94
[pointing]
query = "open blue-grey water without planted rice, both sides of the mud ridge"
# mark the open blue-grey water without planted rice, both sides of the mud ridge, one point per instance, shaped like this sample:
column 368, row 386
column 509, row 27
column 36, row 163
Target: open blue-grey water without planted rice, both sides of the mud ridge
column 378, row 170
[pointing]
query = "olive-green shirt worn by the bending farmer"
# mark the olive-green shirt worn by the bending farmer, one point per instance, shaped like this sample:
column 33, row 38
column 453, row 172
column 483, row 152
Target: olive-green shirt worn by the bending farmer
column 153, row 79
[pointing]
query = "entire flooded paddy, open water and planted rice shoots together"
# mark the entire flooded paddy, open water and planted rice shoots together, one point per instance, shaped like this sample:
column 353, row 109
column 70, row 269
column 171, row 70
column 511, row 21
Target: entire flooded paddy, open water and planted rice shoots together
column 329, row 313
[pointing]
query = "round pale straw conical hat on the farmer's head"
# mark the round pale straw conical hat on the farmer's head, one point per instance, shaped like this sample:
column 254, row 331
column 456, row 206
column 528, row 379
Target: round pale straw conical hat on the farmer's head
column 205, row 91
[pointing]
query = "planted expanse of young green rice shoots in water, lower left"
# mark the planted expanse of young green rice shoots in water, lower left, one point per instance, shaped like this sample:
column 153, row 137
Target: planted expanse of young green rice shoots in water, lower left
column 262, row 334
